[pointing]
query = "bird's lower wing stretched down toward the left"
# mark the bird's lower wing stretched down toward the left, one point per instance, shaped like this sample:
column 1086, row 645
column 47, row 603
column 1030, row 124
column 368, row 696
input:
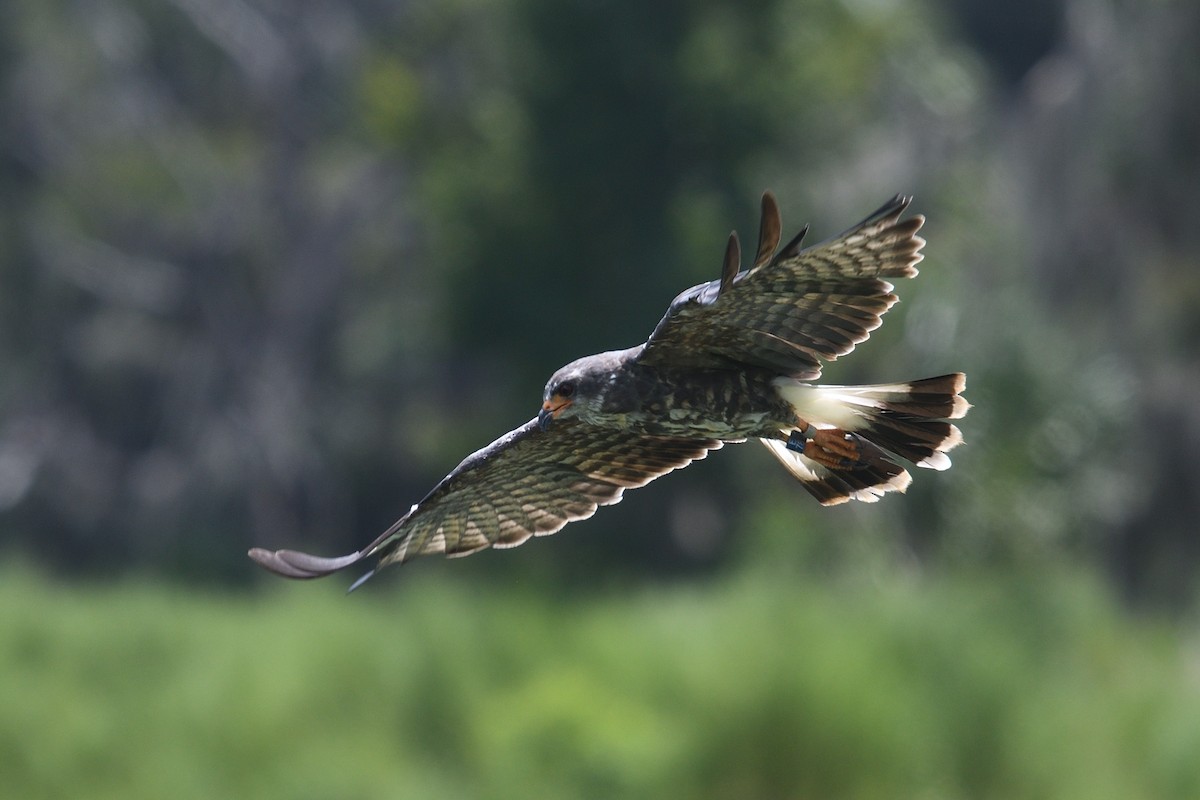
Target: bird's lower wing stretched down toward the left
column 529, row 483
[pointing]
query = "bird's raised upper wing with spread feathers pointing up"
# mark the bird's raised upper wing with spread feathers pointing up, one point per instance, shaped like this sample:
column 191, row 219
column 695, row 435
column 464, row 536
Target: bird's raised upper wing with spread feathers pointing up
column 795, row 309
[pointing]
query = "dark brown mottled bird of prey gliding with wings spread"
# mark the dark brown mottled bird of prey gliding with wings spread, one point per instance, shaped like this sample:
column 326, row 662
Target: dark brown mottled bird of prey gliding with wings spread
column 733, row 359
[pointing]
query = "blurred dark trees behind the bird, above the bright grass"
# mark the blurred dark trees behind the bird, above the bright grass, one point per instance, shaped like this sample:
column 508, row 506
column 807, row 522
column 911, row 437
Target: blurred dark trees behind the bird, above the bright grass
column 257, row 260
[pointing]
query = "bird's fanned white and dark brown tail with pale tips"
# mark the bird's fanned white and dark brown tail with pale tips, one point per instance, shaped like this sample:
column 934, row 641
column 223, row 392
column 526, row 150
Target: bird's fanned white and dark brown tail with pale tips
column 886, row 424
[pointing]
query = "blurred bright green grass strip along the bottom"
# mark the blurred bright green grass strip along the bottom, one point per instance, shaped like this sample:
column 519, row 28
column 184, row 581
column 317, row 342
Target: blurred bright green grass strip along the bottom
column 740, row 689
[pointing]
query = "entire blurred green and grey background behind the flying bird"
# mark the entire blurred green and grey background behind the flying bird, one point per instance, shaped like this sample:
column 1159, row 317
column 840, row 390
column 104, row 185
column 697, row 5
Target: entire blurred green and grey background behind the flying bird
column 268, row 270
